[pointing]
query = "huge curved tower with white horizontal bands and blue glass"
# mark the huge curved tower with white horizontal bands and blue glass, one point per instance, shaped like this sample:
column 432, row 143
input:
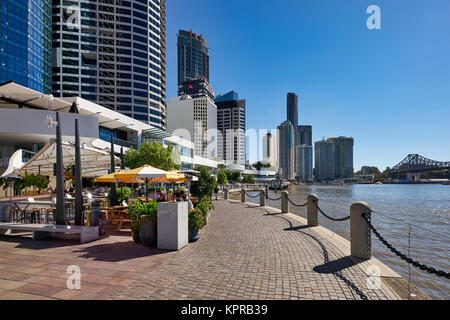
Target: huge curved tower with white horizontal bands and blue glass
column 112, row 53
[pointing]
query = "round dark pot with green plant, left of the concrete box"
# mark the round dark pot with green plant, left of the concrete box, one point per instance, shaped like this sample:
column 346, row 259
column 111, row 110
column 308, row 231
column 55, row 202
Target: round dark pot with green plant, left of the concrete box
column 143, row 222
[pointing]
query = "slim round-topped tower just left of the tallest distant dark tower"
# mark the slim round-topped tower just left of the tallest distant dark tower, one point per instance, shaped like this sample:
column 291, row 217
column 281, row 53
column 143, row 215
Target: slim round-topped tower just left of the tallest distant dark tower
column 286, row 149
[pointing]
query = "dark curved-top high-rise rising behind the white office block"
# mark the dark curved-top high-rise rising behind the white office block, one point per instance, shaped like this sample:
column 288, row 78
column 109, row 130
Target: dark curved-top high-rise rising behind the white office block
column 193, row 57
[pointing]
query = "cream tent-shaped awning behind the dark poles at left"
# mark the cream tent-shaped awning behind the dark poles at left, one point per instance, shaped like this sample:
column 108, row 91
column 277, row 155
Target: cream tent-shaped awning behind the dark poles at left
column 94, row 162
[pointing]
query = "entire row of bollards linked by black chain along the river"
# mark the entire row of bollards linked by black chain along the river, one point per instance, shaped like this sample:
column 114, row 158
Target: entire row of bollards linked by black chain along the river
column 360, row 226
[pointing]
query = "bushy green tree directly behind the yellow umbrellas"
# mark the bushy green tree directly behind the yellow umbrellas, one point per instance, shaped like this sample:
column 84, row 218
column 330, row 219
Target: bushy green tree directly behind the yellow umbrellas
column 154, row 154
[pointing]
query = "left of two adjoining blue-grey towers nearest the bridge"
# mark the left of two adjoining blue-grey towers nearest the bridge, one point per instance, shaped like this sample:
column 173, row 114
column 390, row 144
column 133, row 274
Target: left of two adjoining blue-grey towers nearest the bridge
column 324, row 160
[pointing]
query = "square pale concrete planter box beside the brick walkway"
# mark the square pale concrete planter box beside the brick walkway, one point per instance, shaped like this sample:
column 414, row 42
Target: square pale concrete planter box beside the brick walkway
column 172, row 225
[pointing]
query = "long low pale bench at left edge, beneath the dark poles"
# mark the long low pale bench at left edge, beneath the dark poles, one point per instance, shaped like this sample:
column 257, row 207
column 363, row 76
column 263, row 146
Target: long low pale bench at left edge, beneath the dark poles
column 43, row 231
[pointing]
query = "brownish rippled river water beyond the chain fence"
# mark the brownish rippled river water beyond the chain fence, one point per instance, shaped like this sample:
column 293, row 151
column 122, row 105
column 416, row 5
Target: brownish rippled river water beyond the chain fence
column 397, row 208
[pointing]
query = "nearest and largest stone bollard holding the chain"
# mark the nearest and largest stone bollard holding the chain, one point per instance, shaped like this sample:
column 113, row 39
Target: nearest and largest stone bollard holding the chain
column 360, row 235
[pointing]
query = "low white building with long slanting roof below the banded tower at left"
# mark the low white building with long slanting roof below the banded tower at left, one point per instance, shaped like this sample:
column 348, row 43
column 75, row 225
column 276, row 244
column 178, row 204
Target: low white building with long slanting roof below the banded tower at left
column 24, row 127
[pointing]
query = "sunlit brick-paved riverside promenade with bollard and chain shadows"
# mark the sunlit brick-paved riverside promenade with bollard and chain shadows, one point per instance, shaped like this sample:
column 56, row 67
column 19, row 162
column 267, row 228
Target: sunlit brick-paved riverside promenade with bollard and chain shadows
column 244, row 252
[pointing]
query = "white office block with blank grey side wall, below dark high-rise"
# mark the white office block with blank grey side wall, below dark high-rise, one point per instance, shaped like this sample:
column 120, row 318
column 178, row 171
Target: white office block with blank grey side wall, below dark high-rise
column 194, row 119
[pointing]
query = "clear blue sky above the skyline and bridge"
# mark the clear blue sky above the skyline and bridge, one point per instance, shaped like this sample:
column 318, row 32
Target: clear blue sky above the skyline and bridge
column 389, row 89
